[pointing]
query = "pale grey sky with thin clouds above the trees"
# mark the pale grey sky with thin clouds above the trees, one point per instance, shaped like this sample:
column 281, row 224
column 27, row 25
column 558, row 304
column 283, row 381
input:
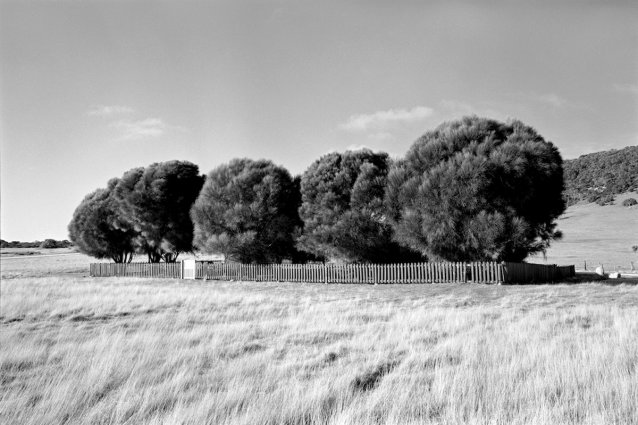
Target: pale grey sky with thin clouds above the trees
column 90, row 89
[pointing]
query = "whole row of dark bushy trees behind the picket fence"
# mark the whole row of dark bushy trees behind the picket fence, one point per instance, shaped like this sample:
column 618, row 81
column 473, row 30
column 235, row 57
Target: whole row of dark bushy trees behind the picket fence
column 470, row 190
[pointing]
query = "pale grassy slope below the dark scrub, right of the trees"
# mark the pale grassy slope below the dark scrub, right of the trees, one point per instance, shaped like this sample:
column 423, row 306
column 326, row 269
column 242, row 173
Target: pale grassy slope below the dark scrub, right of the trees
column 596, row 235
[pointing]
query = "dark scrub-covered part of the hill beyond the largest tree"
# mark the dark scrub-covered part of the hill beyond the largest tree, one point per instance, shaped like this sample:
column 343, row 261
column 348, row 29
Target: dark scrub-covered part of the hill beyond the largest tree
column 600, row 176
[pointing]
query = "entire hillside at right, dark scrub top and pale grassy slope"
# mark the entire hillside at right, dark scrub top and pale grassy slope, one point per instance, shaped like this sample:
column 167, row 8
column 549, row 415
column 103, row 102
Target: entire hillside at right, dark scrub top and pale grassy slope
column 595, row 234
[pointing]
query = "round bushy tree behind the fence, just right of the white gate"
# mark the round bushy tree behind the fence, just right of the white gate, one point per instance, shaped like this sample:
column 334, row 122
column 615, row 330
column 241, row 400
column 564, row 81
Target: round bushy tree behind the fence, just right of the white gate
column 247, row 210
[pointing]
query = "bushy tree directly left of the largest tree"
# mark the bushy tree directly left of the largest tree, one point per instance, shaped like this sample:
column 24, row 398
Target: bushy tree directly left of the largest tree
column 343, row 212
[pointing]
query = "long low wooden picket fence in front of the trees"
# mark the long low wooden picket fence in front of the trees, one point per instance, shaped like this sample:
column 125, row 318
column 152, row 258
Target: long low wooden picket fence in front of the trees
column 486, row 272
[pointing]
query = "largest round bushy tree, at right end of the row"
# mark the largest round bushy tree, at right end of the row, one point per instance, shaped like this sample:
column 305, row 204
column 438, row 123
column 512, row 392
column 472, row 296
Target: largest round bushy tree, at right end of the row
column 477, row 190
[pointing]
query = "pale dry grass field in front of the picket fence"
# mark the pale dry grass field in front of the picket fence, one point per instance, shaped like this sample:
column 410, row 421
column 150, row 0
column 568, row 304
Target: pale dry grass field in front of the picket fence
column 76, row 350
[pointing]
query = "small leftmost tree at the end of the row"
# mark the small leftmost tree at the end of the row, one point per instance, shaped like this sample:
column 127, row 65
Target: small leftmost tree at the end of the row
column 98, row 228
